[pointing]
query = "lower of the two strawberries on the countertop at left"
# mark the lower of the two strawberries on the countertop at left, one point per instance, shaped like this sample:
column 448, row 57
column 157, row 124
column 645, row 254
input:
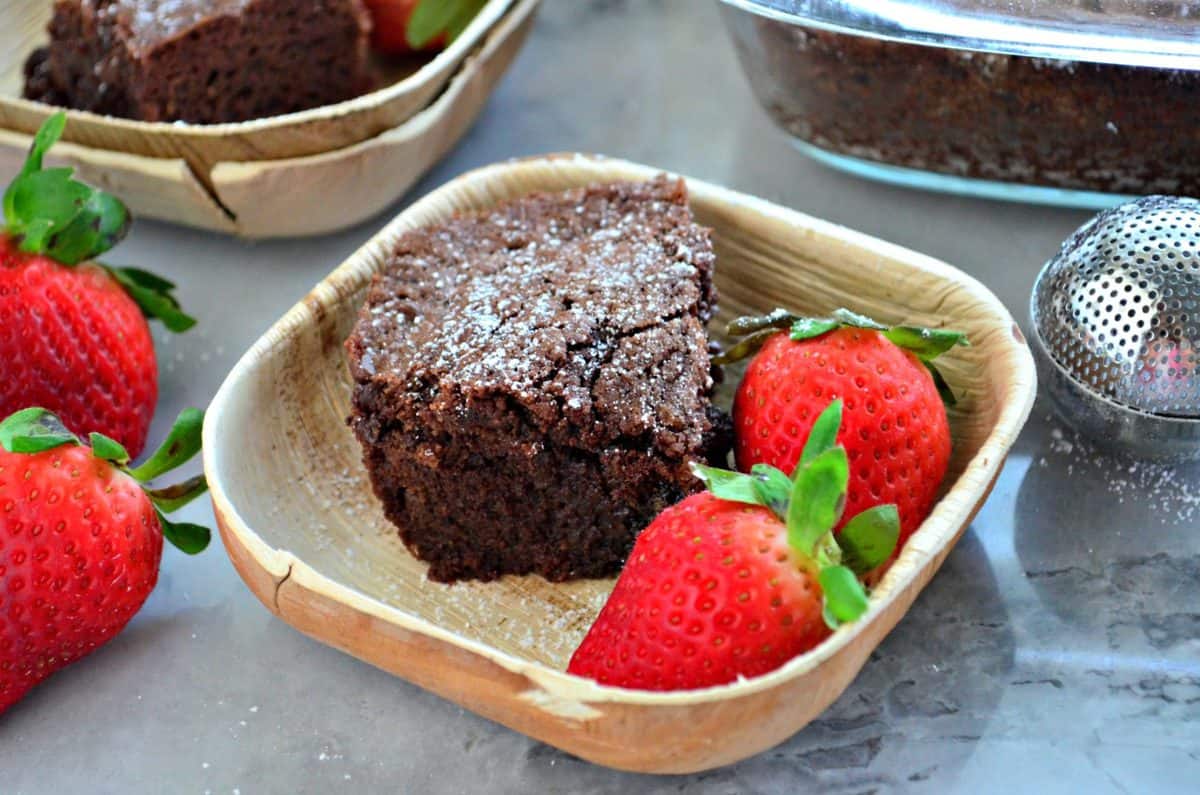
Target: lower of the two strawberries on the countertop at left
column 81, row 541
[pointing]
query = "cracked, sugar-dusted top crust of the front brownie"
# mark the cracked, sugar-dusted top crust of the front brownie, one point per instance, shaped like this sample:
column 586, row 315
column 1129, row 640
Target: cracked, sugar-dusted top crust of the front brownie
column 586, row 309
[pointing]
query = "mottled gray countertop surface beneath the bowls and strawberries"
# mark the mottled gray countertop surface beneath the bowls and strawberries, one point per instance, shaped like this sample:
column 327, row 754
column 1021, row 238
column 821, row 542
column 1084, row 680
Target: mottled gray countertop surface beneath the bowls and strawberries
column 1058, row 650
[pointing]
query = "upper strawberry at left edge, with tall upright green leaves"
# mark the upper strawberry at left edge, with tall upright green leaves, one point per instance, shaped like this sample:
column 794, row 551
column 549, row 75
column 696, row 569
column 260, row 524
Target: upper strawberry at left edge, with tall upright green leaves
column 74, row 338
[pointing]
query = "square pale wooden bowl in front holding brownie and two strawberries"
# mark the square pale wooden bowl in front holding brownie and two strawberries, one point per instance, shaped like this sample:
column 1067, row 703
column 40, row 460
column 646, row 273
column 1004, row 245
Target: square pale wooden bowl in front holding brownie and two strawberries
column 303, row 529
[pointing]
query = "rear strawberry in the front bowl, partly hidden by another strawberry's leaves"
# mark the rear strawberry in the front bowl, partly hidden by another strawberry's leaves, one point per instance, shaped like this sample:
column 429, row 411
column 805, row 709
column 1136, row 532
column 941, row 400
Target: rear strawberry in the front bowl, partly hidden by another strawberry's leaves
column 896, row 431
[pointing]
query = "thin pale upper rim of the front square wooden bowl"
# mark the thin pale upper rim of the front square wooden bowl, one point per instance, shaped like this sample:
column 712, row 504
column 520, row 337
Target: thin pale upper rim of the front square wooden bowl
column 974, row 482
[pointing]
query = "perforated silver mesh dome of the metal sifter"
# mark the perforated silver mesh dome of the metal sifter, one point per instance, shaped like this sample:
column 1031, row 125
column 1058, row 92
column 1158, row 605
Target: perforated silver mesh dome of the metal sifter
column 1119, row 308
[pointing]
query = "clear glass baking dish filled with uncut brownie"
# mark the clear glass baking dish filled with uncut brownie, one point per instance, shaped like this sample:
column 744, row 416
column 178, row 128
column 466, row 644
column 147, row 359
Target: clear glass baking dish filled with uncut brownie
column 1076, row 103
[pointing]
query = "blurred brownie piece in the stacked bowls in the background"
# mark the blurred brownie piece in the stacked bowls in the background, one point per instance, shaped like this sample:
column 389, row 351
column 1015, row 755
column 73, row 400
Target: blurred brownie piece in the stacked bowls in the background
column 203, row 62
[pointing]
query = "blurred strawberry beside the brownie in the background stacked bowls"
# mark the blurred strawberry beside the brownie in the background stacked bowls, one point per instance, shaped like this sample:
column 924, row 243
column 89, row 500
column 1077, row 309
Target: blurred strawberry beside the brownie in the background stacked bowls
column 403, row 27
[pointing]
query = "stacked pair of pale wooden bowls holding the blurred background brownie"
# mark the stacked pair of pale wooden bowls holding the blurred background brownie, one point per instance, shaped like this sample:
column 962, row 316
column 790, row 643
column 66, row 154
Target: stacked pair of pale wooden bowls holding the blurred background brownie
column 283, row 177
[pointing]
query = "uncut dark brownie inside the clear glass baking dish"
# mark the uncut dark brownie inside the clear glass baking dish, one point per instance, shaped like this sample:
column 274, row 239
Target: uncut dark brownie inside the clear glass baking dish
column 994, row 117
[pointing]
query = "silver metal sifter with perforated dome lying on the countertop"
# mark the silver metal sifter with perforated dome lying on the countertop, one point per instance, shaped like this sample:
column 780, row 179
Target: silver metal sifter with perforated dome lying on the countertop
column 1117, row 328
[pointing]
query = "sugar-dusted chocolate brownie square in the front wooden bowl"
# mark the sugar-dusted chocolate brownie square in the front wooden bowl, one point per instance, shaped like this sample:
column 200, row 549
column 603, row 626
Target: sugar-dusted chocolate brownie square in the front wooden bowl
column 533, row 382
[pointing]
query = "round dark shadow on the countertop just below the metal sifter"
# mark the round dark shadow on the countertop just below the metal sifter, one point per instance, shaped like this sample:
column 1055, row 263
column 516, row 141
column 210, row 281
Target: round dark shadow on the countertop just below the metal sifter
column 1112, row 546
